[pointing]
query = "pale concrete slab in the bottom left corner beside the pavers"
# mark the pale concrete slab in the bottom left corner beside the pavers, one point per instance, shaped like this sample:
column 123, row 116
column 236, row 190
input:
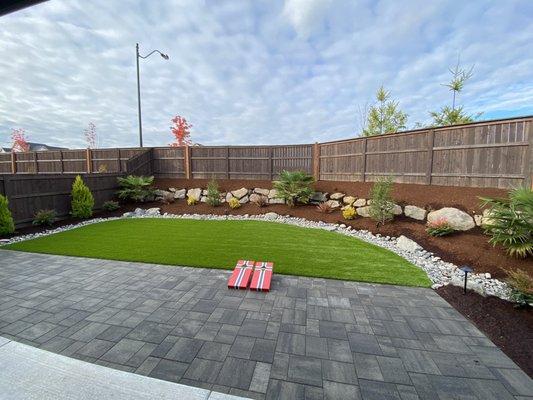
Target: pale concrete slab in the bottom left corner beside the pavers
column 30, row 373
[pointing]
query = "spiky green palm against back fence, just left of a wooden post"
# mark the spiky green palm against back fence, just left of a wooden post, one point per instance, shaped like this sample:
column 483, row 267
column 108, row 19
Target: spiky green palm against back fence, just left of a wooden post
column 294, row 187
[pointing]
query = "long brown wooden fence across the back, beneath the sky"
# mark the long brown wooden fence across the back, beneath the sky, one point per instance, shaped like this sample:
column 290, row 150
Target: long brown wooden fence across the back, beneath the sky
column 483, row 154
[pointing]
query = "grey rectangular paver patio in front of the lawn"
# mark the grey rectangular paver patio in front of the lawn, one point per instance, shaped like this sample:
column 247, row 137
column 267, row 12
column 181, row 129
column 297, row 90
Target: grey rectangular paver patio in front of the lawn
column 307, row 338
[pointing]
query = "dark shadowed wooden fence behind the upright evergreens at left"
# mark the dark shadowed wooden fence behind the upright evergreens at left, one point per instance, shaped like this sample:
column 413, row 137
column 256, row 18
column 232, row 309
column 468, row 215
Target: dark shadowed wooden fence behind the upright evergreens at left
column 29, row 193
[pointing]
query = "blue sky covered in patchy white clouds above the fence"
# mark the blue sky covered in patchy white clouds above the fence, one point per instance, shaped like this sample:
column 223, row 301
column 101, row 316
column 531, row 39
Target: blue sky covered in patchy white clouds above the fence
column 254, row 71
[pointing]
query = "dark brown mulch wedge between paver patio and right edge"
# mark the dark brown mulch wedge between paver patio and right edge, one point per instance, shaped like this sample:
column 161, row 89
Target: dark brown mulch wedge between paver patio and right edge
column 510, row 328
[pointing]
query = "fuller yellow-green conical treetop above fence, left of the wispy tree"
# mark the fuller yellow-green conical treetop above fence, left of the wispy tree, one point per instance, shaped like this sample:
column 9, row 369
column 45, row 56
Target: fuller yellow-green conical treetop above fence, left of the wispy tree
column 384, row 116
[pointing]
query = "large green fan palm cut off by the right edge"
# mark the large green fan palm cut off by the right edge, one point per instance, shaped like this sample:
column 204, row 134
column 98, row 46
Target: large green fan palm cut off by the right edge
column 510, row 222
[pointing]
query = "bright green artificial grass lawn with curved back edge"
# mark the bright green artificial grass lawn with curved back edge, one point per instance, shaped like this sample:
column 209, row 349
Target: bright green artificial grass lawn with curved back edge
column 219, row 244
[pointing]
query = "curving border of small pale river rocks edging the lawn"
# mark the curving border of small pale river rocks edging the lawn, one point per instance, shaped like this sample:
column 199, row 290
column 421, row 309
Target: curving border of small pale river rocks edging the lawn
column 440, row 272
